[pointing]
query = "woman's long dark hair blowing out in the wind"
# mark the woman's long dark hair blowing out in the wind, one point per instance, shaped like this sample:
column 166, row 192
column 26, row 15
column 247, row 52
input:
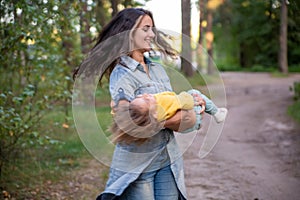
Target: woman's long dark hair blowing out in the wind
column 113, row 42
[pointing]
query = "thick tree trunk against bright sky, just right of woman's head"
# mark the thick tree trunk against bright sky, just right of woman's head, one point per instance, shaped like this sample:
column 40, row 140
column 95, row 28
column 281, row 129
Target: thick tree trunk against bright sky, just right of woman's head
column 186, row 54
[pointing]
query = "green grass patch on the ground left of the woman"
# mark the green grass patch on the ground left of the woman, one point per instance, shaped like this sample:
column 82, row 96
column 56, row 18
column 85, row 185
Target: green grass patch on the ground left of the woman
column 57, row 151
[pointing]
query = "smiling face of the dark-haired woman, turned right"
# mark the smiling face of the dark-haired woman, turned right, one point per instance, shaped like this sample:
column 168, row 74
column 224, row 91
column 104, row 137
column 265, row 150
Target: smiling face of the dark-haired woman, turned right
column 143, row 35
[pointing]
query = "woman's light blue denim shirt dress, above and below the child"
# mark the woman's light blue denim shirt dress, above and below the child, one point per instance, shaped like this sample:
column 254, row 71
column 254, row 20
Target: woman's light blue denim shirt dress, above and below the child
column 131, row 163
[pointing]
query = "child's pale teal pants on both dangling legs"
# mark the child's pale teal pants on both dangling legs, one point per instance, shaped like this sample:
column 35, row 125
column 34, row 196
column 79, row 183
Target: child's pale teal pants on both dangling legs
column 210, row 108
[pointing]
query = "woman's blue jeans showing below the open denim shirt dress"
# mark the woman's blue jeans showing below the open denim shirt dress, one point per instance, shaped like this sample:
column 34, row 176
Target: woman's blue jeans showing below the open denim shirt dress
column 156, row 185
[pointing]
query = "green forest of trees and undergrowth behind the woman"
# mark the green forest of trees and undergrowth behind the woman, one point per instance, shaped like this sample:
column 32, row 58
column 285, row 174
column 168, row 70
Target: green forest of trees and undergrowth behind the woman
column 43, row 41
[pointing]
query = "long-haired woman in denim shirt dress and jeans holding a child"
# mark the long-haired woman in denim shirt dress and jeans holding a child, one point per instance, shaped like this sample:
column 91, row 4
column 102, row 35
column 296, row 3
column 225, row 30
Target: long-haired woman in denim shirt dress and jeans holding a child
column 150, row 168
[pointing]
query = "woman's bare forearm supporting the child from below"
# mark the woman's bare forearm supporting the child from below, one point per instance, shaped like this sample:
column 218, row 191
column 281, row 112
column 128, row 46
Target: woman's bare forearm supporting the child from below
column 182, row 120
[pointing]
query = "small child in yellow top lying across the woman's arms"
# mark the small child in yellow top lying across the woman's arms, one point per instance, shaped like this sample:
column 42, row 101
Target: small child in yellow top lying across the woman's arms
column 148, row 108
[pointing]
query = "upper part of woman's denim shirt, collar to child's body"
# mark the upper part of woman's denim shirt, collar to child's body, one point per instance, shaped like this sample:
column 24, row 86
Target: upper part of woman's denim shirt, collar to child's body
column 129, row 77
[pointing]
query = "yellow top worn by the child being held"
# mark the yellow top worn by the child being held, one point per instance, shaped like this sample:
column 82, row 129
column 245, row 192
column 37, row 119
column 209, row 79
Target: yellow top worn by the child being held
column 168, row 103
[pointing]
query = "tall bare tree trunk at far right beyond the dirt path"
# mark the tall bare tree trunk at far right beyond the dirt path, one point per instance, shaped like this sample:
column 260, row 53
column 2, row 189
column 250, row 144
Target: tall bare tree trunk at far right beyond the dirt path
column 283, row 61
